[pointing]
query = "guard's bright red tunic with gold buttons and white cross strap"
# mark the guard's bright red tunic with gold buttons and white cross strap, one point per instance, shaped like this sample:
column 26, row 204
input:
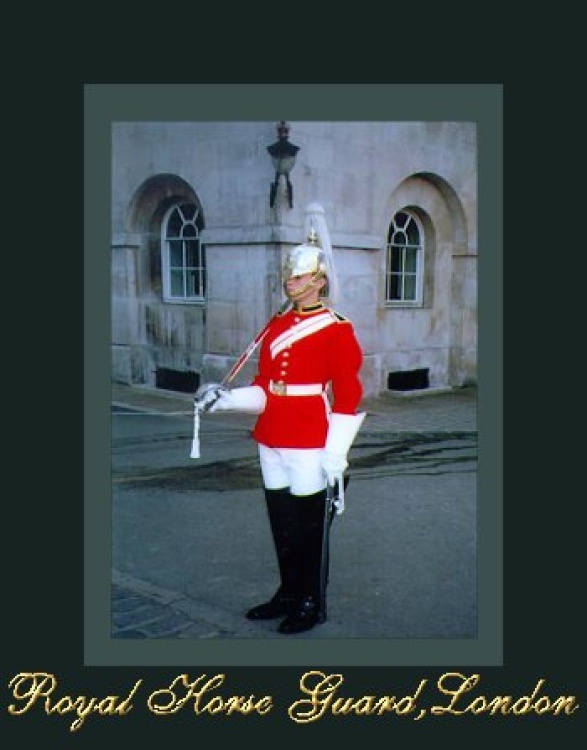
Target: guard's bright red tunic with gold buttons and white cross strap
column 316, row 345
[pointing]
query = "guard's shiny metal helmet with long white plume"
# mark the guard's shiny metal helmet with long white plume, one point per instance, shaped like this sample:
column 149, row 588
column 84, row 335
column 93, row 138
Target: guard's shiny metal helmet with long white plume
column 315, row 255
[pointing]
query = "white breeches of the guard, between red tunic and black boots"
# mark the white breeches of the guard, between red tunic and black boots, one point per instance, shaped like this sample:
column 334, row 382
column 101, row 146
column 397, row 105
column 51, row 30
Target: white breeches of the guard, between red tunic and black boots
column 300, row 469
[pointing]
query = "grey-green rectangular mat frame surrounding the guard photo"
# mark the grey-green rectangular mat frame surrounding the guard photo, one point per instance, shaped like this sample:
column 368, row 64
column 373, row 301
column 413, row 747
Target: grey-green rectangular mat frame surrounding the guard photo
column 107, row 103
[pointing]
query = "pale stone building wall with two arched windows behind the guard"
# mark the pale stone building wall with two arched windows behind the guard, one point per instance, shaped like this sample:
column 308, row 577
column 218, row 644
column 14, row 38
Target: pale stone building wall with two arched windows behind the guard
column 197, row 247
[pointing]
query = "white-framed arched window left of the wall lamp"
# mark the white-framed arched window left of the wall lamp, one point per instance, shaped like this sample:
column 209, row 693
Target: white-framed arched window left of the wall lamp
column 183, row 255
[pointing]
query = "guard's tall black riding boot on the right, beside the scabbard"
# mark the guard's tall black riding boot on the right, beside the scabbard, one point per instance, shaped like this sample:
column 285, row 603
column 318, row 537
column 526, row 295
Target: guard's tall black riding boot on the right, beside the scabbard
column 312, row 566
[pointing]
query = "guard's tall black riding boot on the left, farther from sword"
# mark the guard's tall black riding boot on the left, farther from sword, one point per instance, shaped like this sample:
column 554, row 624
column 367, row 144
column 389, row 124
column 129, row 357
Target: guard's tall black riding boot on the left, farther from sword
column 284, row 519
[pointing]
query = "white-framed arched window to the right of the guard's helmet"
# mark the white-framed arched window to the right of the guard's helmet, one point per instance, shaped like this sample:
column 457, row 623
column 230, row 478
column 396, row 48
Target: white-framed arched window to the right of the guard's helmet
column 404, row 266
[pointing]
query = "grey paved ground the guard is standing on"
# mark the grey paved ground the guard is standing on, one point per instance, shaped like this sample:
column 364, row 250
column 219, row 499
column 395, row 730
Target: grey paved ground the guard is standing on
column 192, row 547
